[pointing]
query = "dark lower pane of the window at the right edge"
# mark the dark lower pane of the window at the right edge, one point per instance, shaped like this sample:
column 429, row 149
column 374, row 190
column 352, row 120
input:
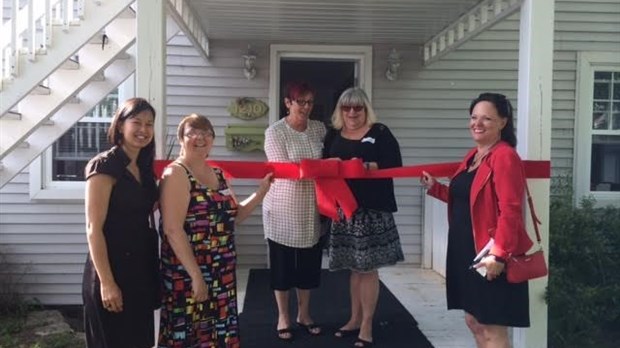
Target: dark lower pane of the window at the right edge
column 605, row 168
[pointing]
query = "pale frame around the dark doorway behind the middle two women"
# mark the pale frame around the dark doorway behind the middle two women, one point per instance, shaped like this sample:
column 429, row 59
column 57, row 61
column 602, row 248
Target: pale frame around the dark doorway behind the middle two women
column 360, row 54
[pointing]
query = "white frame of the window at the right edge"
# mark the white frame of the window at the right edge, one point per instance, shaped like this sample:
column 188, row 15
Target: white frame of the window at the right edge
column 587, row 64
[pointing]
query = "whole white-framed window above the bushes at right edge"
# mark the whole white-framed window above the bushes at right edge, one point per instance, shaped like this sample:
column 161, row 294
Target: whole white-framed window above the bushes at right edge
column 598, row 127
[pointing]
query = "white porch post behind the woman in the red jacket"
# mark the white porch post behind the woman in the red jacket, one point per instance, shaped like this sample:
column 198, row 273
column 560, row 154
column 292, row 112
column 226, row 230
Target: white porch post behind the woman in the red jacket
column 534, row 139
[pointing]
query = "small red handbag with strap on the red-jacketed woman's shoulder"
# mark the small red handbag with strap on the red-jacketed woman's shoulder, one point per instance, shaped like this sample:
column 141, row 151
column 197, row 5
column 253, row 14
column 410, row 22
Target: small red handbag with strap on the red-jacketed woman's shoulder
column 520, row 268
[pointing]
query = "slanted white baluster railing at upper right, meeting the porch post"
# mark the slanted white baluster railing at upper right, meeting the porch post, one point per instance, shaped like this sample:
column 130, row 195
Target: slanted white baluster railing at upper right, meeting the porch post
column 482, row 16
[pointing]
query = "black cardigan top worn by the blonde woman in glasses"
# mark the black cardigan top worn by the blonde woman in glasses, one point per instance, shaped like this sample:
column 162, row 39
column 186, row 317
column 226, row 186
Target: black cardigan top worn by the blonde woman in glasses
column 377, row 145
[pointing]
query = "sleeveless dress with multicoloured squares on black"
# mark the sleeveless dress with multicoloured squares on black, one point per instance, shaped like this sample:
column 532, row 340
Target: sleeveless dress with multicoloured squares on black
column 209, row 225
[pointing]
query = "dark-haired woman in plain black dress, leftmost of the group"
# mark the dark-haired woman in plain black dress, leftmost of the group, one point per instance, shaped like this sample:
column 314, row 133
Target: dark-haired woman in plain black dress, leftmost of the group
column 120, row 287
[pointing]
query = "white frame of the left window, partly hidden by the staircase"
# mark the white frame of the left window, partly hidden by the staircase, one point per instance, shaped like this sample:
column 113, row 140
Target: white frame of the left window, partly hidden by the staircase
column 42, row 187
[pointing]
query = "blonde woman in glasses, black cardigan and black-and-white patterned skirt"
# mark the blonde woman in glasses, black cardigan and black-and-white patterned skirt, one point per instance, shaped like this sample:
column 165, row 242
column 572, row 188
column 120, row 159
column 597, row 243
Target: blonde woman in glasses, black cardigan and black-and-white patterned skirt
column 369, row 239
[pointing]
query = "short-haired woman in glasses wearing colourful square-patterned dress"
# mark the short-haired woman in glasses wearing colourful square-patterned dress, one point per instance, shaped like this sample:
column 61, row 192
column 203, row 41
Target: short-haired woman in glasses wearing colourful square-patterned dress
column 199, row 212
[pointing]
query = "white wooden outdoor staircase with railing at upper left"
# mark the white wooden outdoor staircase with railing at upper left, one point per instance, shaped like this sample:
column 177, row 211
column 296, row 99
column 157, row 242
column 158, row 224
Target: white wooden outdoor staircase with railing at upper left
column 48, row 86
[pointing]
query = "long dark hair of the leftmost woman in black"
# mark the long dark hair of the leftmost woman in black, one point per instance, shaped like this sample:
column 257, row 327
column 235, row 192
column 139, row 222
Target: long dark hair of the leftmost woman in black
column 129, row 109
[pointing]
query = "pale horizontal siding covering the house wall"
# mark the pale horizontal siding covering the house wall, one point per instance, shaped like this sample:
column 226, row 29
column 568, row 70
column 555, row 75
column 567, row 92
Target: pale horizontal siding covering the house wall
column 426, row 108
